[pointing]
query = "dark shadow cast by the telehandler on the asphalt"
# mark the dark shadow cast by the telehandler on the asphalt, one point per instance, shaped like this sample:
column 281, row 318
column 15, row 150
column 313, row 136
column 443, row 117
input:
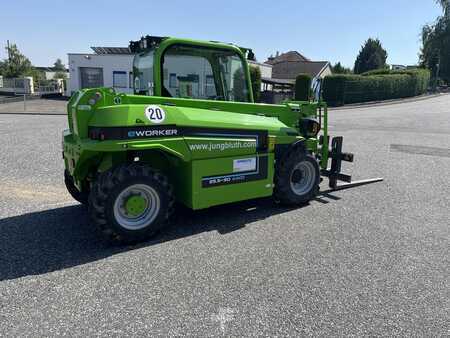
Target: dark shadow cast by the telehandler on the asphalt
column 56, row 239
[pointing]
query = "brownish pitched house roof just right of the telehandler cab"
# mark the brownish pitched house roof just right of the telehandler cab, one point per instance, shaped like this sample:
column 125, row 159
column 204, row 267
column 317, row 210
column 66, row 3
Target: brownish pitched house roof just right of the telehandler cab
column 291, row 69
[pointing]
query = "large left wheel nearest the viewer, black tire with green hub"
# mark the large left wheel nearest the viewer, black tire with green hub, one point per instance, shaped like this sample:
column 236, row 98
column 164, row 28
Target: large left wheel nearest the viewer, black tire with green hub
column 130, row 203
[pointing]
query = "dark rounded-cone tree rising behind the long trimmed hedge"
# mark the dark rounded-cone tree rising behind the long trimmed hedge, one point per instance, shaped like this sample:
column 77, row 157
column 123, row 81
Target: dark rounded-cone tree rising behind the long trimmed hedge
column 371, row 56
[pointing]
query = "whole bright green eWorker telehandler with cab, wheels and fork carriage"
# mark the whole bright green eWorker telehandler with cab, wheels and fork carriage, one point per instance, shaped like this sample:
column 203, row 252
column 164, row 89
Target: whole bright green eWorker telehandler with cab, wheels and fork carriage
column 191, row 134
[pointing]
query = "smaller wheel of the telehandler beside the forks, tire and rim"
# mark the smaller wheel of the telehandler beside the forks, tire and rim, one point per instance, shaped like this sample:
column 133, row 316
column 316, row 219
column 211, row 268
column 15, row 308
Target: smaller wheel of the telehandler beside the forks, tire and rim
column 289, row 174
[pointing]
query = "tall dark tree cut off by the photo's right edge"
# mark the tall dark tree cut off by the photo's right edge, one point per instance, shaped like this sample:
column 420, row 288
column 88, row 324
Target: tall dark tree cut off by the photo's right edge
column 435, row 52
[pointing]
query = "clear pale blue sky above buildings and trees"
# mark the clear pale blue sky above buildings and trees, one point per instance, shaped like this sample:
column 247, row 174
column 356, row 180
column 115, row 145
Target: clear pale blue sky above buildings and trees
column 331, row 30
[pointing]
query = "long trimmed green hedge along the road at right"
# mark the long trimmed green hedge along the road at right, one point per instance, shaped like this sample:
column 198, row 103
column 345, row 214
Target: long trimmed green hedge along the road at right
column 375, row 85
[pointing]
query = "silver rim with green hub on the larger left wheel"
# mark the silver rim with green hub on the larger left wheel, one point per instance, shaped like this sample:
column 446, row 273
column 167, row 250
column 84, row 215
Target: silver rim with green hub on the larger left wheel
column 136, row 206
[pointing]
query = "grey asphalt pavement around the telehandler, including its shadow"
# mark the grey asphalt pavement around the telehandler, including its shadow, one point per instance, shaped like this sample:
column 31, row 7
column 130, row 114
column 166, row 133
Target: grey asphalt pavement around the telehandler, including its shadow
column 372, row 260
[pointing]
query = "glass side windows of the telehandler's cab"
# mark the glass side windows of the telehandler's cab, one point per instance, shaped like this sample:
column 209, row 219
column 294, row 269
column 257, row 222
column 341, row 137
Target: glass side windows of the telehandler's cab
column 195, row 72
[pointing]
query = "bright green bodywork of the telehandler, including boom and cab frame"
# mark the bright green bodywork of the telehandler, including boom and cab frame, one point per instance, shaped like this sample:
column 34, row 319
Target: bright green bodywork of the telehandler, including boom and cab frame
column 195, row 164
